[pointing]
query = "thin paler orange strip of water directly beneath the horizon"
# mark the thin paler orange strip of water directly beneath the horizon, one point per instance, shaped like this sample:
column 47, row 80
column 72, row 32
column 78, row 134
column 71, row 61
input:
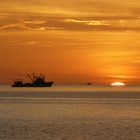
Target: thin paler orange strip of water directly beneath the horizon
column 70, row 88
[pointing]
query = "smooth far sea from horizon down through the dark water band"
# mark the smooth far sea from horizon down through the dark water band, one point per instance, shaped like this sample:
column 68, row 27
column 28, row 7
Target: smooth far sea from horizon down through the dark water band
column 87, row 92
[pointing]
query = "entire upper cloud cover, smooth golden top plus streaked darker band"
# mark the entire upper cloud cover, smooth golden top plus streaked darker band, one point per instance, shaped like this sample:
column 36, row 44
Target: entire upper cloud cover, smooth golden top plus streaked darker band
column 74, row 15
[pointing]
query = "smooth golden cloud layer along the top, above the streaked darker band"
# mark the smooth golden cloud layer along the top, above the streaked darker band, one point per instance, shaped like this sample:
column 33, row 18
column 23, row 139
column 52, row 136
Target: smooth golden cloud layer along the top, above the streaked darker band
column 73, row 7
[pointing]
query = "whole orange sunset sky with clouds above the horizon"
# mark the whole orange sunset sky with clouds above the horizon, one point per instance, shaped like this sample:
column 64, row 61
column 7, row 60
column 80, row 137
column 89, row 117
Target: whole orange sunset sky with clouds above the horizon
column 71, row 42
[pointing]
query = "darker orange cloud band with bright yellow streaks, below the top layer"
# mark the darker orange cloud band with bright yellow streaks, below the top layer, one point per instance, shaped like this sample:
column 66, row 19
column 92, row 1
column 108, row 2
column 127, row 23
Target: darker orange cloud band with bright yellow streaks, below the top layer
column 44, row 23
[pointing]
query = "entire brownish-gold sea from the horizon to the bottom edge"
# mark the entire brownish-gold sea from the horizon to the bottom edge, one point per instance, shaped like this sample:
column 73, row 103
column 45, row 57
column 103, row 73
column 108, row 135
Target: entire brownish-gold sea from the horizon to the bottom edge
column 70, row 113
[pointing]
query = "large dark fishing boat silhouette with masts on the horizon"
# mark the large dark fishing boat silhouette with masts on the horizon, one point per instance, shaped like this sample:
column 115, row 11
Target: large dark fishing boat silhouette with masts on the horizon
column 36, row 81
